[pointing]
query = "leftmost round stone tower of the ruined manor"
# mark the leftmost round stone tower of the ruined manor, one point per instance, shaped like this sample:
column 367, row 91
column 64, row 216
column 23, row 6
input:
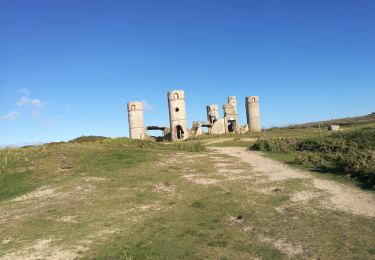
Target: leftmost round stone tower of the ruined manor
column 137, row 129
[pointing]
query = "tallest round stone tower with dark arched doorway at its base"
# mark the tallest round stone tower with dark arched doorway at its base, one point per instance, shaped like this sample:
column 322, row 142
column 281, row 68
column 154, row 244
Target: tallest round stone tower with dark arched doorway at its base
column 177, row 115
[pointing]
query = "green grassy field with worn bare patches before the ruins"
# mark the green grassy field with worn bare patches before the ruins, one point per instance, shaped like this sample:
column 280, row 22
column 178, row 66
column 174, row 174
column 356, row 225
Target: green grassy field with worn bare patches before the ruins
column 101, row 198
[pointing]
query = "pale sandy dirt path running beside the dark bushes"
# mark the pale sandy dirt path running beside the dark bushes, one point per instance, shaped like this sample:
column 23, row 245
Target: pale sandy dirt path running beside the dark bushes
column 340, row 196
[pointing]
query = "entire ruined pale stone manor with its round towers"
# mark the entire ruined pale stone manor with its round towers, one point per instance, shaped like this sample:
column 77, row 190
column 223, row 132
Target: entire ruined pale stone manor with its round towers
column 177, row 117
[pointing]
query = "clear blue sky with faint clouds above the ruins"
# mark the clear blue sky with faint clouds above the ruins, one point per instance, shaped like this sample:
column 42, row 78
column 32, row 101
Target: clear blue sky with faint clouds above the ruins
column 67, row 68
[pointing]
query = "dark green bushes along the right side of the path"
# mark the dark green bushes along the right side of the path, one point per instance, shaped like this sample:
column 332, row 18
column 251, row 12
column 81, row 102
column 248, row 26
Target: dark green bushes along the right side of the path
column 350, row 153
